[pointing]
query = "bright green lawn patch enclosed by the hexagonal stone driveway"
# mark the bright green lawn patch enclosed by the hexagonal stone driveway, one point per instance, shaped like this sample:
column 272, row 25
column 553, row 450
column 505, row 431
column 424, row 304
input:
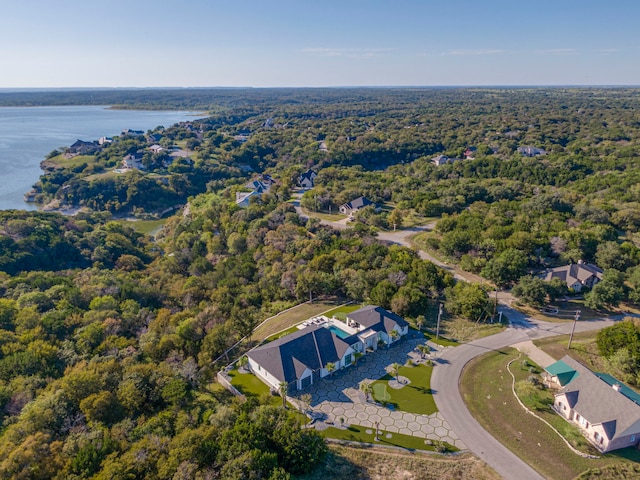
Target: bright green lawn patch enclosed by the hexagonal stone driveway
column 416, row 397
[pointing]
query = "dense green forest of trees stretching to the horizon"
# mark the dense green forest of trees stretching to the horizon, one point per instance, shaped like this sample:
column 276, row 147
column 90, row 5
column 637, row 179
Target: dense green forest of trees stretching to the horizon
column 109, row 339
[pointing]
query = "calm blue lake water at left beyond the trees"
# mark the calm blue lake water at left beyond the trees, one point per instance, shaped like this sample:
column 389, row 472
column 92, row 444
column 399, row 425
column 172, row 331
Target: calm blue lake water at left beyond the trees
column 28, row 134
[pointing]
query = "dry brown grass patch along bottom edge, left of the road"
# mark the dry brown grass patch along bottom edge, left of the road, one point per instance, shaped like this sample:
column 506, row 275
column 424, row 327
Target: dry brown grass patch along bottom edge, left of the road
column 360, row 463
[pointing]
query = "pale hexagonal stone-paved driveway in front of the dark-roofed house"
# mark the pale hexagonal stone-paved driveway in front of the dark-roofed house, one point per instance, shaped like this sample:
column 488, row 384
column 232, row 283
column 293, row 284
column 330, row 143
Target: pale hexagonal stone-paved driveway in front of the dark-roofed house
column 339, row 396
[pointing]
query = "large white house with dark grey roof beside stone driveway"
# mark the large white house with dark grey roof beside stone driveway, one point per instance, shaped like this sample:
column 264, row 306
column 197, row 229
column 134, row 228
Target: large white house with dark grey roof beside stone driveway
column 323, row 345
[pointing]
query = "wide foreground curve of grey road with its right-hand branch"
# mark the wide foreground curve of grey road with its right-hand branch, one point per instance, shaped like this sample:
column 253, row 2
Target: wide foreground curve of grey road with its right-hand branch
column 445, row 383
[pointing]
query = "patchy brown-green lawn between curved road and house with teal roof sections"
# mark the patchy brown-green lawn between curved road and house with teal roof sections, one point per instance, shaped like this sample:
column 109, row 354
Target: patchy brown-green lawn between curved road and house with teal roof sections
column 486, row 388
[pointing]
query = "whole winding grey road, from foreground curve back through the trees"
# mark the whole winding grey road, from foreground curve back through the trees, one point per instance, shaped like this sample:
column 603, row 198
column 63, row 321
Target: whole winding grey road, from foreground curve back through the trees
column 446, row 376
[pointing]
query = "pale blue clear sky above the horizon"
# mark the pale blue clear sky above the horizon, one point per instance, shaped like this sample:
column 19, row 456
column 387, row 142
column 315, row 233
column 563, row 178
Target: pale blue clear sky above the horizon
column 317, row 43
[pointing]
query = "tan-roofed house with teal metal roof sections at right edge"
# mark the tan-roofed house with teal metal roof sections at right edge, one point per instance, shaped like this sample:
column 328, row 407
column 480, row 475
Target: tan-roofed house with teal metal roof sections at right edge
column 606, row 411
